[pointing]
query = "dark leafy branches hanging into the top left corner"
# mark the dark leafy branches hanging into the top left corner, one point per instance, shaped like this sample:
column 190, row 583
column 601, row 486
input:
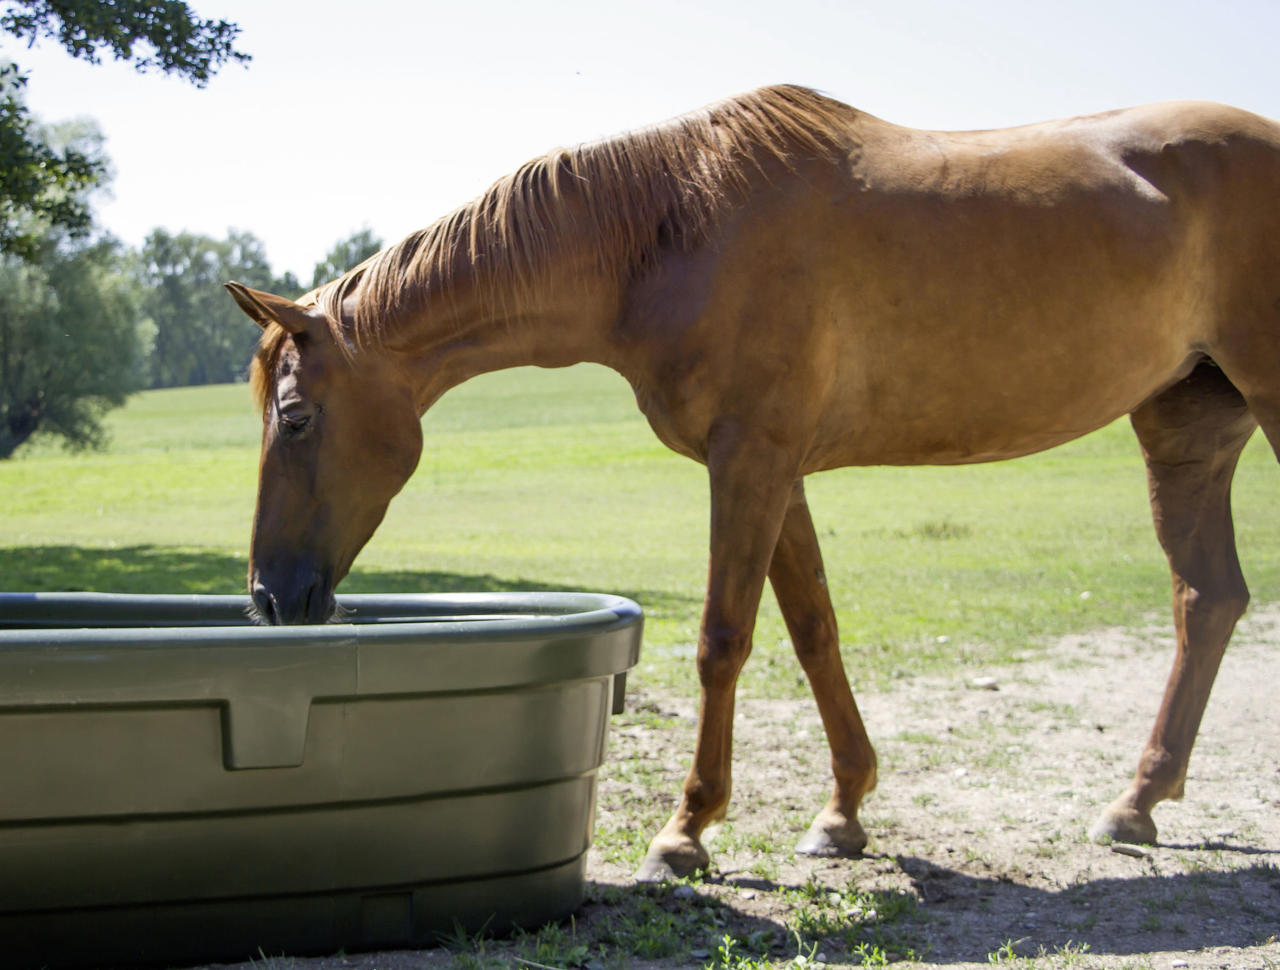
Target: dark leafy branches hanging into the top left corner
column 153, row 35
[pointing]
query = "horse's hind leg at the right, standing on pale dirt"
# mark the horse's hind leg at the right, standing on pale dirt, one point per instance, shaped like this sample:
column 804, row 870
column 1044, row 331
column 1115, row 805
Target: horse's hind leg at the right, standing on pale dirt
column 1191, row 437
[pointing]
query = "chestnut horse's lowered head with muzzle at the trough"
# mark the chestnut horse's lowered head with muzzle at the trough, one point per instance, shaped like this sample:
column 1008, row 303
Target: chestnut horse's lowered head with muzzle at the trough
column 341, row 437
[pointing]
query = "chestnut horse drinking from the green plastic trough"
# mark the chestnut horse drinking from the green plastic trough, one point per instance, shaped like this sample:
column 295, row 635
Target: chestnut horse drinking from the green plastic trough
column 790, row 286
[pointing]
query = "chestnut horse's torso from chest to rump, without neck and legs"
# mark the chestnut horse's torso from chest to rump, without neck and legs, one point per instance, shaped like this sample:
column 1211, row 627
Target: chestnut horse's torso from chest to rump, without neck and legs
column 941, row 298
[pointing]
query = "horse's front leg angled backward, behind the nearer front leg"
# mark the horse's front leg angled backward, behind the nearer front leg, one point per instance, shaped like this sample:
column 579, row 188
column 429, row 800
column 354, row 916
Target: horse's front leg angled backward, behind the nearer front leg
column 801, row 587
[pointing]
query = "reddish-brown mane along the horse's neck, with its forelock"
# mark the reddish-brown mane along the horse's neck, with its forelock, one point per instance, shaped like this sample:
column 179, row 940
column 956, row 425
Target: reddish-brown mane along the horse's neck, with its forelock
column 625, row 198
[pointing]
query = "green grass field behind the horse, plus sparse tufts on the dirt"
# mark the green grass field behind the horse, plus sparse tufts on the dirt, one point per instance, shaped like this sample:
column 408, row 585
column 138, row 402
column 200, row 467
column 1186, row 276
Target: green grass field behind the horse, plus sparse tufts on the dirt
column 552, row 481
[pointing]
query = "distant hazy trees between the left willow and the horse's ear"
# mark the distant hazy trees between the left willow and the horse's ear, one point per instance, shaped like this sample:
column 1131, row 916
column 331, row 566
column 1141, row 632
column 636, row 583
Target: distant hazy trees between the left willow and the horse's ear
column 202, row 336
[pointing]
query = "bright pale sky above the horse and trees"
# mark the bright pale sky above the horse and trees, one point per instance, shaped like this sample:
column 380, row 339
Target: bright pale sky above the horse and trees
column 387, row 115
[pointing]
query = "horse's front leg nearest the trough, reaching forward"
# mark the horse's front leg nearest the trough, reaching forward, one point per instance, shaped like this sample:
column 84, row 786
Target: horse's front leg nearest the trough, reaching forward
column 751, row 483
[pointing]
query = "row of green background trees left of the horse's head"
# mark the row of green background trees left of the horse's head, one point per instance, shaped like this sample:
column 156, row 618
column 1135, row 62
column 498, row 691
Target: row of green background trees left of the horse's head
column 85, row 321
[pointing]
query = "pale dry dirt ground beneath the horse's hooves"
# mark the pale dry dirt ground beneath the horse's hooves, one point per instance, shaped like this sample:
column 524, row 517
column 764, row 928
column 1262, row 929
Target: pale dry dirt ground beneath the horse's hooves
column 981, row 815
